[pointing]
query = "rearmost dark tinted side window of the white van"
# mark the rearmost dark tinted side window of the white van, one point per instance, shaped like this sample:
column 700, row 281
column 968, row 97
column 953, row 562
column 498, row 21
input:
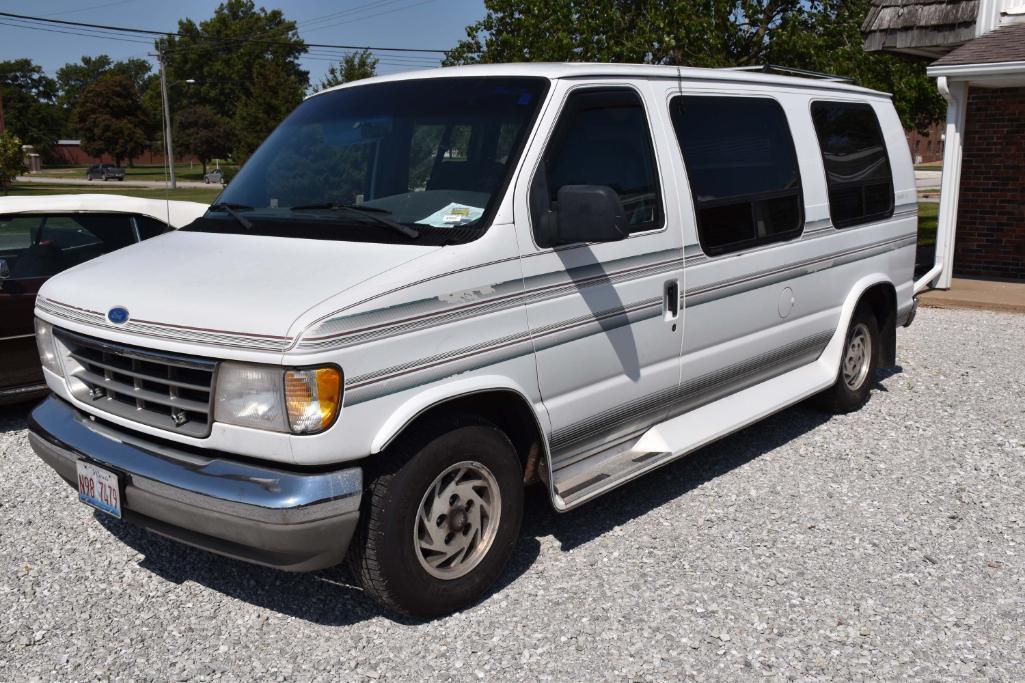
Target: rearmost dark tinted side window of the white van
column 858, row 176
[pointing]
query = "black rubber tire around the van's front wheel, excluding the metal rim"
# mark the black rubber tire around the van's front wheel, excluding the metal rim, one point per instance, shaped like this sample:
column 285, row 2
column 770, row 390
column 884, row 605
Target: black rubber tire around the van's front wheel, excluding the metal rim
column 384, row 555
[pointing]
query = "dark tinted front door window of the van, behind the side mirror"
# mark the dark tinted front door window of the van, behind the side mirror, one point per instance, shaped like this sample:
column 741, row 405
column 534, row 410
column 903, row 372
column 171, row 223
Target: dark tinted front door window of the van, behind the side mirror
column 603, row 139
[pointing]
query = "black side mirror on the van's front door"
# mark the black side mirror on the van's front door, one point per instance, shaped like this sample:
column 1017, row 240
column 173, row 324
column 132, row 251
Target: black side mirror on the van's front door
column 589, row 214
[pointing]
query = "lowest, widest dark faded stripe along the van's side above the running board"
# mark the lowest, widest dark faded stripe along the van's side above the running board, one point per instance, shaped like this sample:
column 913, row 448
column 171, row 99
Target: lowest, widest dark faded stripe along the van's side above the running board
column 639, row 415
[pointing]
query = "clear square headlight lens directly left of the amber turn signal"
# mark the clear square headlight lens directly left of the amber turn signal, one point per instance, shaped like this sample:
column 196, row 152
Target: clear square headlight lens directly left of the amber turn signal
column 251, row 396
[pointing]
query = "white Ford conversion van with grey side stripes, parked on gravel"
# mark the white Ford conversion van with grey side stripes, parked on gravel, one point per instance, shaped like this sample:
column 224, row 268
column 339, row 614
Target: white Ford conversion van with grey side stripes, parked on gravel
column 428, row 291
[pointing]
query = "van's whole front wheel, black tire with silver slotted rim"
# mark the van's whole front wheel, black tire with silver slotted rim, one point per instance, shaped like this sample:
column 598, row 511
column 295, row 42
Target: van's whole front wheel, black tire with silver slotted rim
column 441, row 518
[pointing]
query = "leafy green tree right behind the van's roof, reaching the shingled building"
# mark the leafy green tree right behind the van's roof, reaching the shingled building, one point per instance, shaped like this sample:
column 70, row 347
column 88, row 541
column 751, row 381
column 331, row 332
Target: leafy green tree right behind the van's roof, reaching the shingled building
column 821, row 35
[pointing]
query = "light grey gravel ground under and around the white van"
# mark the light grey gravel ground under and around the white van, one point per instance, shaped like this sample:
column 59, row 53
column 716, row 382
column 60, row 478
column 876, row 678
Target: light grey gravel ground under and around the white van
column 887, row 544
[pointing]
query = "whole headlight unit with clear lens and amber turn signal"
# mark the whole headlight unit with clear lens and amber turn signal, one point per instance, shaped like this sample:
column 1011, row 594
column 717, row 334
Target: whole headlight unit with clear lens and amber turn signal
column 268, row 397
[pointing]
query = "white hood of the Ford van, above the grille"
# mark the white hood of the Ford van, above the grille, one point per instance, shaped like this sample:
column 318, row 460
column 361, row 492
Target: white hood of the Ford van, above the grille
column 238, row 291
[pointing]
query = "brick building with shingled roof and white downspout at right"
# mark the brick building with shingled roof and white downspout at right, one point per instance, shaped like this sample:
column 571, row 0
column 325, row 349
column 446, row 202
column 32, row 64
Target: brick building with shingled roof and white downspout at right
column 979, row 47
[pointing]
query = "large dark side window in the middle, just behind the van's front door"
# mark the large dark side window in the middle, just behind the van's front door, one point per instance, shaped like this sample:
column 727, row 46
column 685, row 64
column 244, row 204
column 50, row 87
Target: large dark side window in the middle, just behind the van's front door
column 743, row 170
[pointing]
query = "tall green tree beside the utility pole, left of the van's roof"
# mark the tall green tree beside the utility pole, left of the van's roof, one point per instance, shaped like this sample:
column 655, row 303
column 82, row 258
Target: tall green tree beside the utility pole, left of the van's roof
column 245, row 62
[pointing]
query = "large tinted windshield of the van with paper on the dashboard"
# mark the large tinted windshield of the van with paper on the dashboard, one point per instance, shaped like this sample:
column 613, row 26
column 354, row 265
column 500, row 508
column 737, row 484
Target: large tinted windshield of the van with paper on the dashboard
column 433, row 155
